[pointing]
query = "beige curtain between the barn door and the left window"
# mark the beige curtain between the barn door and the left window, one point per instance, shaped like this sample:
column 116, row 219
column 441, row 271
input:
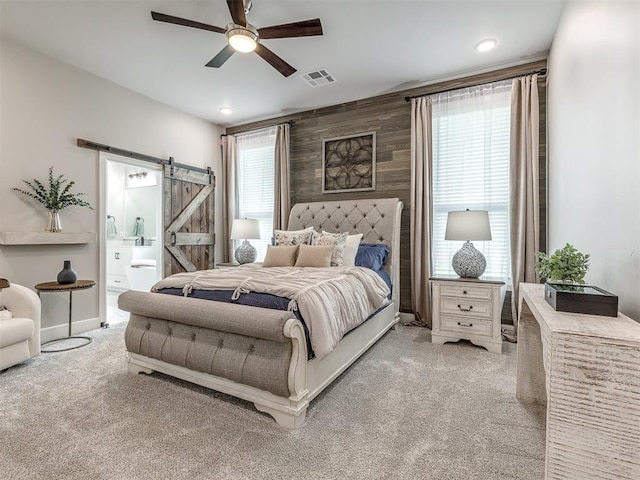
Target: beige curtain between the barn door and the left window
column 229, row 193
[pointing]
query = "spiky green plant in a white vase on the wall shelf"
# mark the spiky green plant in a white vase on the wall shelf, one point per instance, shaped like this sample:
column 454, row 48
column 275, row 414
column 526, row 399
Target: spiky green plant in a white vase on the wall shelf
column 56, row 197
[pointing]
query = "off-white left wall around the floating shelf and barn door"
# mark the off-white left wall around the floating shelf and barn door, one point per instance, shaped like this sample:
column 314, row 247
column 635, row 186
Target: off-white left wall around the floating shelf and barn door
column 45, row 107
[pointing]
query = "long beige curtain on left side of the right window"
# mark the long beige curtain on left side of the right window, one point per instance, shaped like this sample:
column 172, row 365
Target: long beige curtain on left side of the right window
column 421, row 212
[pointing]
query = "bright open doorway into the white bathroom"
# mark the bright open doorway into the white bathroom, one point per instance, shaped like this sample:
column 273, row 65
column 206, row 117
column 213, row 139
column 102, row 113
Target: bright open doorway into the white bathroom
column 132, row 213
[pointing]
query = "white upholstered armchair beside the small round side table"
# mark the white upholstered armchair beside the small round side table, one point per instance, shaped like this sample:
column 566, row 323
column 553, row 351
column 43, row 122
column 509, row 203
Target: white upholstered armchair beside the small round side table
column 19, row 335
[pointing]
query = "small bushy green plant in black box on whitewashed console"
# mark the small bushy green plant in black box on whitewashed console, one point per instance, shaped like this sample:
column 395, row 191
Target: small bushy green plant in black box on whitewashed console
column 565, row 265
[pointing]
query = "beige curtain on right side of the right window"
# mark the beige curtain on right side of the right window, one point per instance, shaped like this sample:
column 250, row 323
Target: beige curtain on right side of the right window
column 524, row 185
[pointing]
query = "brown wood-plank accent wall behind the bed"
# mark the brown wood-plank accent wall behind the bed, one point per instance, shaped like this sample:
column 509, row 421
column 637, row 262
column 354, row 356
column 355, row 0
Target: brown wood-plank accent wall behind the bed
column 390, row 116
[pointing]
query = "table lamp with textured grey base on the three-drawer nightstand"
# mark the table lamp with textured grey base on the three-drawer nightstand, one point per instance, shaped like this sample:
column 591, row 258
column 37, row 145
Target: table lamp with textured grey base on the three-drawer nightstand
column 468, row 225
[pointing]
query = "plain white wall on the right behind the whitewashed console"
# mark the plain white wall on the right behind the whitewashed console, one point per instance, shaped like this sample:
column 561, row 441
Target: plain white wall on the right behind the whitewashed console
column 594, row 142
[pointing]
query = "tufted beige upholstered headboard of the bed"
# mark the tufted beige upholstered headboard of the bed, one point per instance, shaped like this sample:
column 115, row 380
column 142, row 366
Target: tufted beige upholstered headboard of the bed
column 377, row 219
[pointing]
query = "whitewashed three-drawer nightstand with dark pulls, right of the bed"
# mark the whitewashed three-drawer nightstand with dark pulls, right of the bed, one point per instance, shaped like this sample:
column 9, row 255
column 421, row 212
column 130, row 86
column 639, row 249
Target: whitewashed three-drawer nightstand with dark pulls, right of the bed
column 467, row 308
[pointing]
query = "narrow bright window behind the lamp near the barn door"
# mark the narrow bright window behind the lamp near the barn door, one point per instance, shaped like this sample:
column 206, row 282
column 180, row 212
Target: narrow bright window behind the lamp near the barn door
column 255, row 183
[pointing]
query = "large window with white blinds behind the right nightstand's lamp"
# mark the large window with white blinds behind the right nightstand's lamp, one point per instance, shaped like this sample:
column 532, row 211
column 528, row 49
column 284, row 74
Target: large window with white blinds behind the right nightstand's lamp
column 471, row 170
